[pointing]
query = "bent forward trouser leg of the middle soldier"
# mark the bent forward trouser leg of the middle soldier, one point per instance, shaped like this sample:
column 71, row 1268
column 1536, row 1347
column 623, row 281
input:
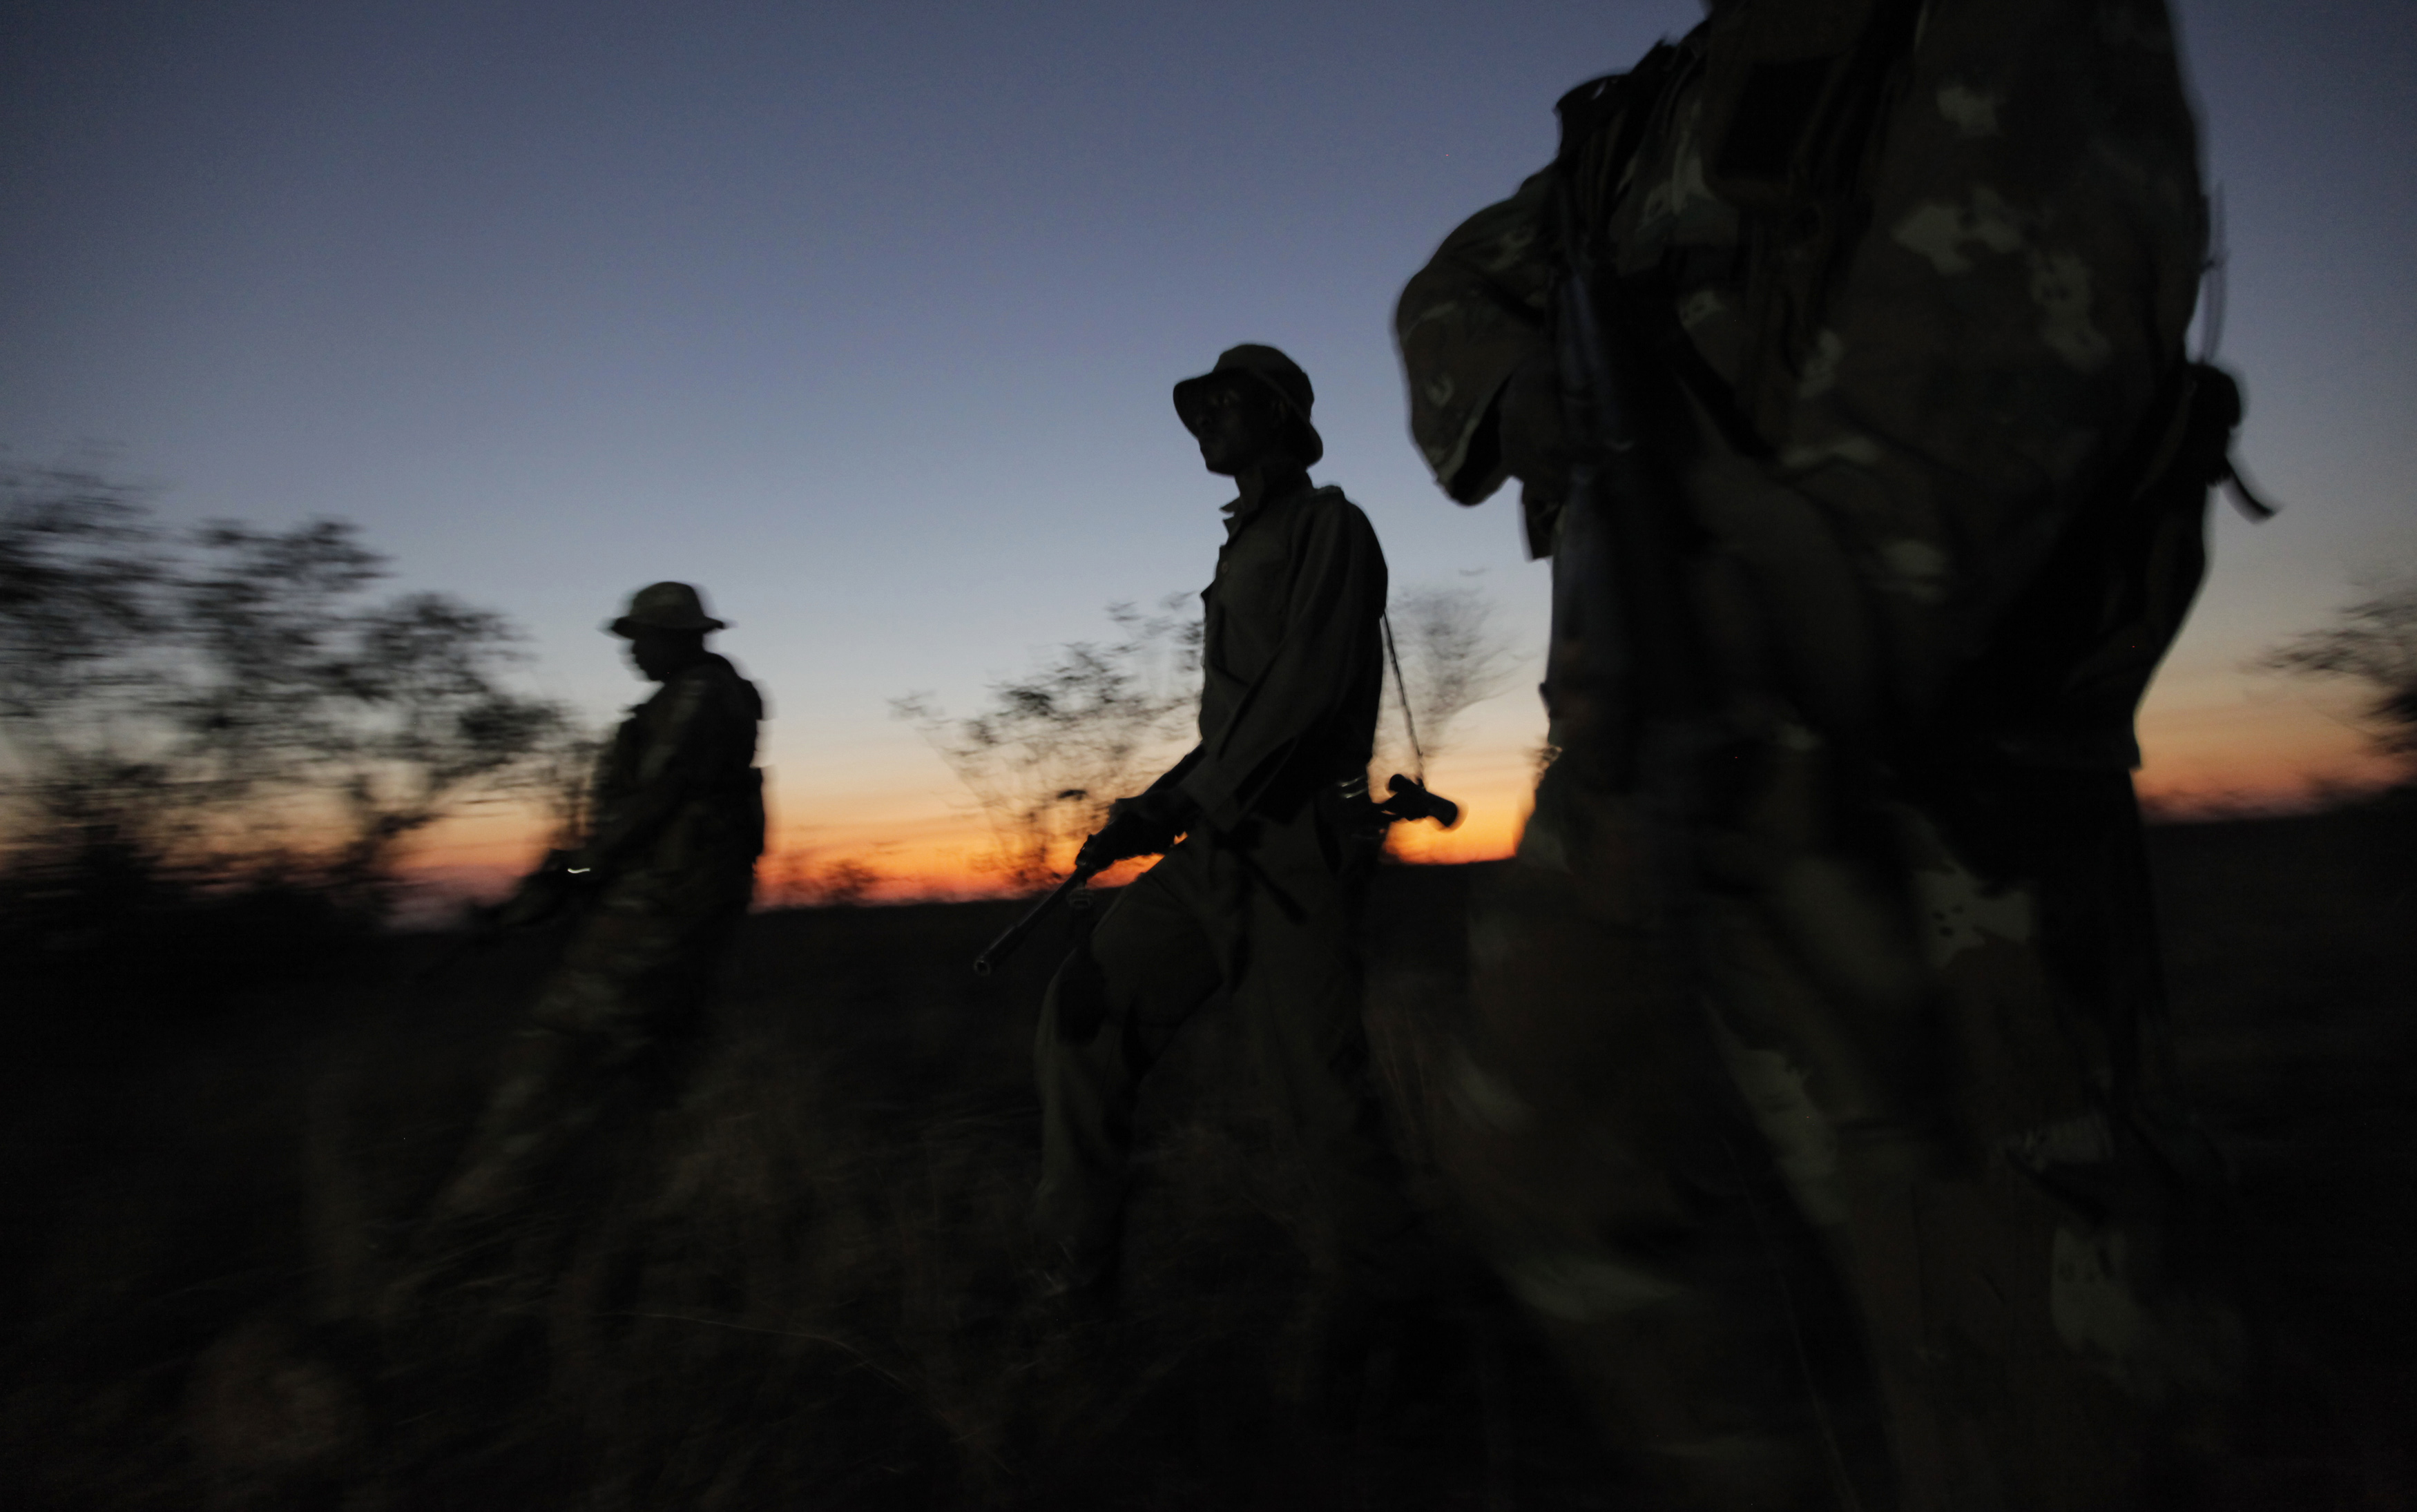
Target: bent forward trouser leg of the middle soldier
column 1108, row 1018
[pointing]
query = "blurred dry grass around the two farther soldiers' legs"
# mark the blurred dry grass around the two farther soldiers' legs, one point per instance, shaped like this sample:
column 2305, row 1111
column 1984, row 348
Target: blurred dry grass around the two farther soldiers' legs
column 796, row 1289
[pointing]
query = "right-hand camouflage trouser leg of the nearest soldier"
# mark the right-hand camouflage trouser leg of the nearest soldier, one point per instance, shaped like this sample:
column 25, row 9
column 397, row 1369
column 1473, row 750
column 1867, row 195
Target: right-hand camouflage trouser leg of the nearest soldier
column 2012, row 1291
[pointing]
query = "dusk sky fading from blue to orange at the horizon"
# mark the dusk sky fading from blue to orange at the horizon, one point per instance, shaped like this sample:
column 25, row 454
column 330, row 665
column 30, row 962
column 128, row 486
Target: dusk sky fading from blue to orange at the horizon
column 864, row 320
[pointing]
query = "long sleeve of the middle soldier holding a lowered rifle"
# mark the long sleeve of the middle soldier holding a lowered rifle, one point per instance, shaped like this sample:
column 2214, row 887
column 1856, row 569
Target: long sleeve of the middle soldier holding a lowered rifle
column 1328, row 629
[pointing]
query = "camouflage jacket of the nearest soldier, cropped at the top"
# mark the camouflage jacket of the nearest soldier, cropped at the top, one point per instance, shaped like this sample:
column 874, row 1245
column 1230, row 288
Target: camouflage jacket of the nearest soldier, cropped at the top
column 1981, row 359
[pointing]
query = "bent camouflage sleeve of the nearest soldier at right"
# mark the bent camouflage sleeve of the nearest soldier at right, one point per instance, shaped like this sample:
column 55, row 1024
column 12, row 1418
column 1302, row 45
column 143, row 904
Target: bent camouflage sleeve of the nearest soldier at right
column 1466, row 322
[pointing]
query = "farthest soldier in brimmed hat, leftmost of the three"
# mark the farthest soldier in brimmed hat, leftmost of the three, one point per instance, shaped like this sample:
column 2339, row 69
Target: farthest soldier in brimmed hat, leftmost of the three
column 661, row 885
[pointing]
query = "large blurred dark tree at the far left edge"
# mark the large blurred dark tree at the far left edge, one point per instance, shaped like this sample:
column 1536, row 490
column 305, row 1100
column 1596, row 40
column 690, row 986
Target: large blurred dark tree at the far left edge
column 221, row 702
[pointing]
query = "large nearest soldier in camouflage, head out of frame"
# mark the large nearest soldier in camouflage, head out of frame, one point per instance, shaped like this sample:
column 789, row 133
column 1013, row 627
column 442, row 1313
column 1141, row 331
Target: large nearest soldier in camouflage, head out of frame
column 1841, row 354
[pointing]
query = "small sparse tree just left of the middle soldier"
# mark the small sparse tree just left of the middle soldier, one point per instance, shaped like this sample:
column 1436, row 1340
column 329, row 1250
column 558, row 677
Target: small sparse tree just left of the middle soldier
column 1060, row 745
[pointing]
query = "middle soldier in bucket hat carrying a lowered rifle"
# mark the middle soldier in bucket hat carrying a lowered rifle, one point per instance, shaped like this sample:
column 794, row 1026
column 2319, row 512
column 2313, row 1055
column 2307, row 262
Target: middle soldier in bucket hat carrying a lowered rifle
column 1263, row 892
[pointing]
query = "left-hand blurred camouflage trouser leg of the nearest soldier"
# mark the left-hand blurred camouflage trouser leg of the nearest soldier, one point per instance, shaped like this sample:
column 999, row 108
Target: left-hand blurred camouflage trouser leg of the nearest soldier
column 1628, row 1202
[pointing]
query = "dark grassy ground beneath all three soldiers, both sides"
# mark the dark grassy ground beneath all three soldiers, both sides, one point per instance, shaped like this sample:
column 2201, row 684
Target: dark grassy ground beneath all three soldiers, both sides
column 801, row 1286
